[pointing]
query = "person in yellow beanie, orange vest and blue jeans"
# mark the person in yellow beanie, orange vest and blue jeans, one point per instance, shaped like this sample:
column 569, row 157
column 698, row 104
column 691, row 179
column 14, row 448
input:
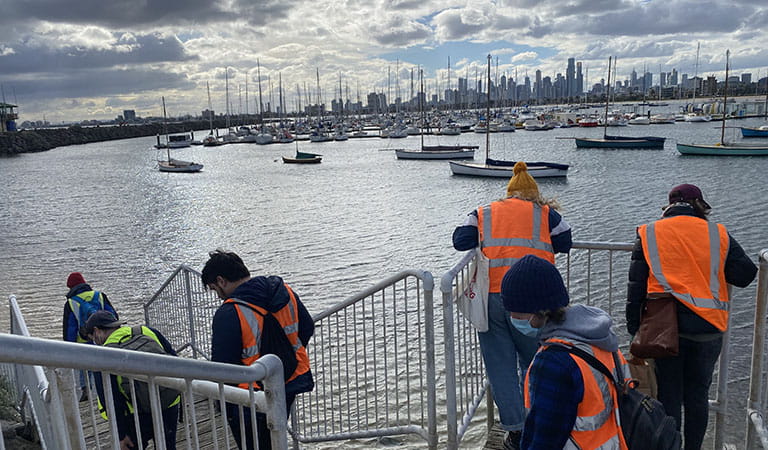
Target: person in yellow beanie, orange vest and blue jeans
column 520, row 224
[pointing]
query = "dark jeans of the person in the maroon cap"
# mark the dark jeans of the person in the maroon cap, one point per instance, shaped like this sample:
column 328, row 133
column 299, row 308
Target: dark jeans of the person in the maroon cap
column 684, row 382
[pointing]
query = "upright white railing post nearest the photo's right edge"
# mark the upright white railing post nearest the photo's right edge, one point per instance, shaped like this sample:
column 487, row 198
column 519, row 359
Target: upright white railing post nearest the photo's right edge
column 758, row 345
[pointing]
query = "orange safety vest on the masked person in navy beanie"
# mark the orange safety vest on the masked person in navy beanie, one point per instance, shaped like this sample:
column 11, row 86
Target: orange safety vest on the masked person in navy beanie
column 597, row 416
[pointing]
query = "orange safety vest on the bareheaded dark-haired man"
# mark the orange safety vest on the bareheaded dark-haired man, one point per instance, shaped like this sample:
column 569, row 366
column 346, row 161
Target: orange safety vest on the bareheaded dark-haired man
column 251, row 324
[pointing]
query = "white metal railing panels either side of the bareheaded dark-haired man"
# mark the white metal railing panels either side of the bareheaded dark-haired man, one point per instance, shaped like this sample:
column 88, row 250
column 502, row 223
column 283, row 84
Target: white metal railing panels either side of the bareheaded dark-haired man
column 372, row 356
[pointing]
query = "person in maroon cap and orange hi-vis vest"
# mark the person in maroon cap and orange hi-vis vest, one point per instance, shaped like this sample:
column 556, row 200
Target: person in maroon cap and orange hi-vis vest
column 687, row 257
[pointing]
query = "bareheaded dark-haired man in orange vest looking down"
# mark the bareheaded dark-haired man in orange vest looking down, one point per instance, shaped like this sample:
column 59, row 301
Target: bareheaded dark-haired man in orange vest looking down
column 260, row 315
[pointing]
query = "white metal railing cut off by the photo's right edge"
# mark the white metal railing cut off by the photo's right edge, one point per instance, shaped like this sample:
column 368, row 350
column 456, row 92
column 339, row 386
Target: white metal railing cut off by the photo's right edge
column 757, row 429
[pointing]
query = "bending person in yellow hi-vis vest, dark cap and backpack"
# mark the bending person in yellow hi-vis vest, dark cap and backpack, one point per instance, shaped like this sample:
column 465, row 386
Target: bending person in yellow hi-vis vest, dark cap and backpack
column 105, row 329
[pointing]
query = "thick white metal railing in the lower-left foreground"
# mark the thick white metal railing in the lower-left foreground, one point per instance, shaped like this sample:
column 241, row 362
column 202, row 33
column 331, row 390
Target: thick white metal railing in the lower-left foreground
column 204, row 386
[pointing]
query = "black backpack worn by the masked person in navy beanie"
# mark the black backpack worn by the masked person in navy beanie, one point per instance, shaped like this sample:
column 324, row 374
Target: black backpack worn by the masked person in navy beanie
column 644, row 423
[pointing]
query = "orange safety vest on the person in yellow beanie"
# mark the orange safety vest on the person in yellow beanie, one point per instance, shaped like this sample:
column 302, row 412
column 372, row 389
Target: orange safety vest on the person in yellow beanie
column 510, row 229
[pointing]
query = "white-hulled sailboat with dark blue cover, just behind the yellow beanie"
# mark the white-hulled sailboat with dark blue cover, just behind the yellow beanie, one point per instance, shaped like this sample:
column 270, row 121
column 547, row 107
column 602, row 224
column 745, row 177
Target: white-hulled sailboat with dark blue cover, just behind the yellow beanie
column 500, row 168
